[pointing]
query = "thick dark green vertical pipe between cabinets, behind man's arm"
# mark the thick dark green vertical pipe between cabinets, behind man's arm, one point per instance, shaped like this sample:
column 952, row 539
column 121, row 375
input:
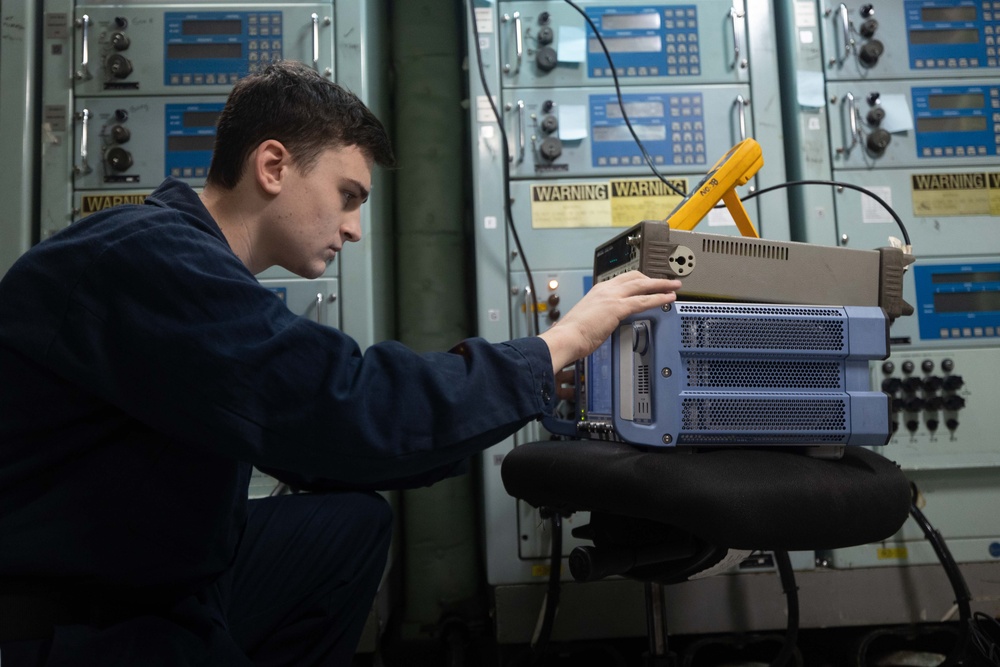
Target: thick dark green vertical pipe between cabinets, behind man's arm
column 439, row 532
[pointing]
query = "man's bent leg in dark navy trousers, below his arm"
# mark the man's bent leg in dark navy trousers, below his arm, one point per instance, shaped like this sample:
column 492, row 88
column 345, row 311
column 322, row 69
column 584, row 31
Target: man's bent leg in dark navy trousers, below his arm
column 305, row 577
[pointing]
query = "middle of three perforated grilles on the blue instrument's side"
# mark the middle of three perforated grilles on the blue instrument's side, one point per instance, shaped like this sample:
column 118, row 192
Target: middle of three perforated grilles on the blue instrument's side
column 763, row 374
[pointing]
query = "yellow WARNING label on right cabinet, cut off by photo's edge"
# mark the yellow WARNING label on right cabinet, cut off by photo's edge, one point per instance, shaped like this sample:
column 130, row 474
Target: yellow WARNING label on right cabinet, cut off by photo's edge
column 946, row 195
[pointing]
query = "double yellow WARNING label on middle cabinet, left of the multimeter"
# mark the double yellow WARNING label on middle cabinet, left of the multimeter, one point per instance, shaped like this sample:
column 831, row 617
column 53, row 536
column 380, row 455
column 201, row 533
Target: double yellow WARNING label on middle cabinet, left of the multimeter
column 613, row 203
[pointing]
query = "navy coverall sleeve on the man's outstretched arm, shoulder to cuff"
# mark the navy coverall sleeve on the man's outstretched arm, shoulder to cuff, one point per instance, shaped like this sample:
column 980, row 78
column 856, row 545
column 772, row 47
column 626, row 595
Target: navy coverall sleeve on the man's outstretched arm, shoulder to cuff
column 177, row 333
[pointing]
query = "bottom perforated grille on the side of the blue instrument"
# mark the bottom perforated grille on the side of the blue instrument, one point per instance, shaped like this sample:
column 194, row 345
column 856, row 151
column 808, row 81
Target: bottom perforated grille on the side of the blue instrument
column 762, row 414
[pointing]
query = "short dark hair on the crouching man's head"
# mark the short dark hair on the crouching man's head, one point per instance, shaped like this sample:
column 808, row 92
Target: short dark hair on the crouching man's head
column 293, row 104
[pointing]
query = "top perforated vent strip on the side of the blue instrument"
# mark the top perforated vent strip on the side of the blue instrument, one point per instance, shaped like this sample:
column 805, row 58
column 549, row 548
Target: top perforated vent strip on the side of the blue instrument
column 761, row 334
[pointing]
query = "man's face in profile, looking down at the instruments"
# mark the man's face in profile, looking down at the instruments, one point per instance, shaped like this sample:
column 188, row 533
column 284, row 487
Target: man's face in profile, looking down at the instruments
column 320, row 211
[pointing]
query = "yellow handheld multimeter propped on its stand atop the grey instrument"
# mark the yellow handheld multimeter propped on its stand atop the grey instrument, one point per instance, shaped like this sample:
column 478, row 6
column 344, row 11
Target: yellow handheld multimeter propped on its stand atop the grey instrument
column 734, row 168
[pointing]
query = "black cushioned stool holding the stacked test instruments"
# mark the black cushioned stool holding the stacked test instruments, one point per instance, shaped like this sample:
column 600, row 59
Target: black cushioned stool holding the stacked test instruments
column 663, row 516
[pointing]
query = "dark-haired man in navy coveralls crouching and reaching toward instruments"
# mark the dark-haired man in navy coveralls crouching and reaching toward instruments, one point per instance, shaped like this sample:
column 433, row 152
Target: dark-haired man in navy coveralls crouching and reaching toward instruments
column 145, row 370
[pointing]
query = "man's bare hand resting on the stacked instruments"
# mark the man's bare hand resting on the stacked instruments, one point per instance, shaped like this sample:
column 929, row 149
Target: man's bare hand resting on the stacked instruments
column 594, row 318
